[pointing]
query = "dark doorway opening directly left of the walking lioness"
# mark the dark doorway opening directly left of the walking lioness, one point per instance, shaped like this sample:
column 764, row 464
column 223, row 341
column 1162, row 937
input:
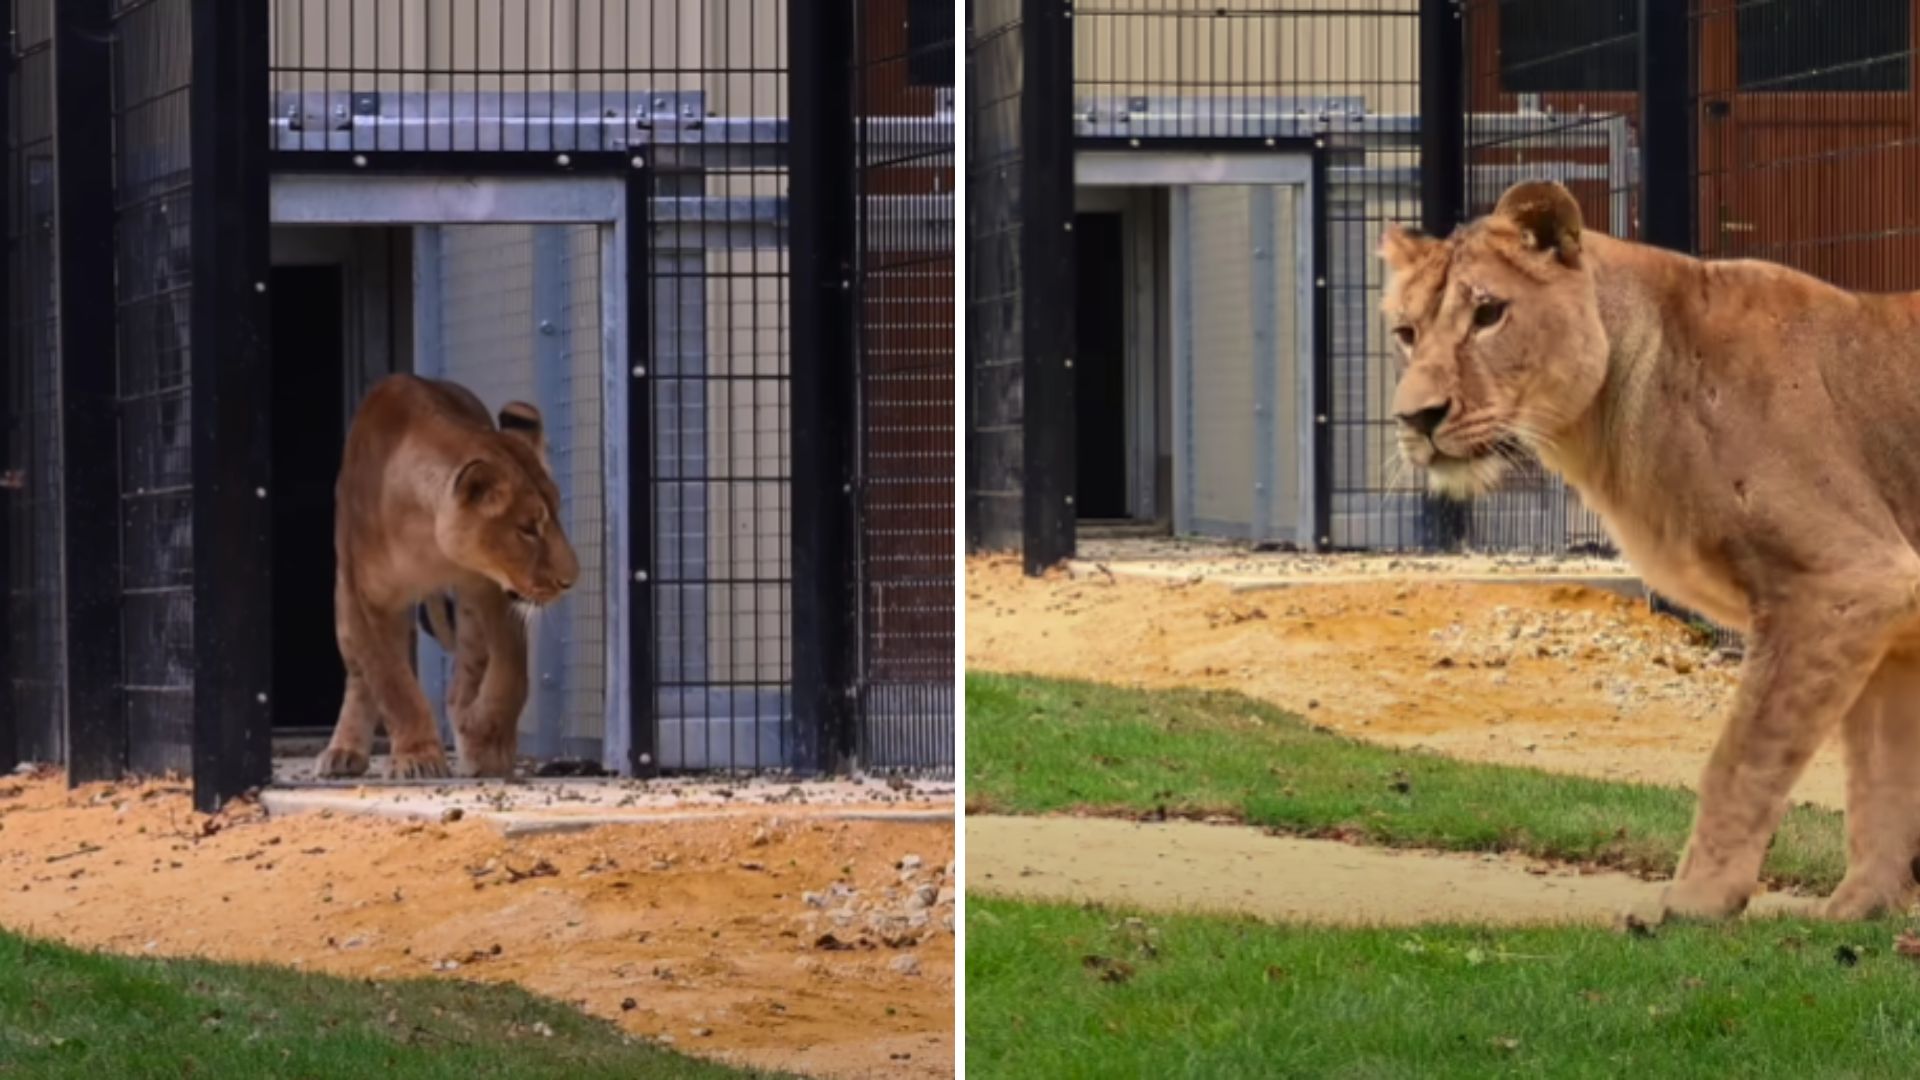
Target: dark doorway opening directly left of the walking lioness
column 308, row 431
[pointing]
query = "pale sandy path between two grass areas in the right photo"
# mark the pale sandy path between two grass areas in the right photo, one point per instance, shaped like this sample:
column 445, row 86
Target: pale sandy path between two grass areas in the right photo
column 1228, row 870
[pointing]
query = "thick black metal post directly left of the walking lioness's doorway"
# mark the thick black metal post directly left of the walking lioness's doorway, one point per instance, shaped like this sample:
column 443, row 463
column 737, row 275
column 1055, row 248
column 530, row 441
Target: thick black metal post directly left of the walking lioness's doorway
column 233, row 403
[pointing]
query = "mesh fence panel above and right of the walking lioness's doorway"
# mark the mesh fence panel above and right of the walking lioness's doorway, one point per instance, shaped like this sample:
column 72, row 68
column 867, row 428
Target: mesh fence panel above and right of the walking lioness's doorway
column 698, row 89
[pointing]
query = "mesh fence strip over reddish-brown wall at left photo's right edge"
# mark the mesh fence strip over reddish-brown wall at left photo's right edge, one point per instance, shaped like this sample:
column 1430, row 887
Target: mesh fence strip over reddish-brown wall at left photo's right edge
column 905, row 331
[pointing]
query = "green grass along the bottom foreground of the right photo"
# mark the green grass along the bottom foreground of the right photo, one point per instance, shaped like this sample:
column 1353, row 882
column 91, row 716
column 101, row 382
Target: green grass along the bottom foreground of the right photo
column 1222, row 998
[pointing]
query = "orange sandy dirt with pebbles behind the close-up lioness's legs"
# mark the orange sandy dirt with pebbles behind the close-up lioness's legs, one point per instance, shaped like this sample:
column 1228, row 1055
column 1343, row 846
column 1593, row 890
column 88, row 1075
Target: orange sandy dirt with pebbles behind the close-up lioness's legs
column 1401, row 652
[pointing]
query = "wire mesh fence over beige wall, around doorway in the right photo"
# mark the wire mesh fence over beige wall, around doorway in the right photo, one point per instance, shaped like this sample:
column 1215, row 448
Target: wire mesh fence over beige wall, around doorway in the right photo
column 1333, row 80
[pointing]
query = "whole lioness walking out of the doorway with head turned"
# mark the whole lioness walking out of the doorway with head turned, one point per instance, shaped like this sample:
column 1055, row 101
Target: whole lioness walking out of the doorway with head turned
column 435, row 501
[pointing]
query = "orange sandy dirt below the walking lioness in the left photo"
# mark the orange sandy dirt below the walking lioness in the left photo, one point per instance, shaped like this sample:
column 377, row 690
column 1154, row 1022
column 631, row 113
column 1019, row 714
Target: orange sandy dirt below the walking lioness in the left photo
column 777, row 937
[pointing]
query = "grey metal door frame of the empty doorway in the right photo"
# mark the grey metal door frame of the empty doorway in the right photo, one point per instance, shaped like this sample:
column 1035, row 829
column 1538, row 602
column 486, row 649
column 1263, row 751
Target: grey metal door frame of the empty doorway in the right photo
column 1180, row 164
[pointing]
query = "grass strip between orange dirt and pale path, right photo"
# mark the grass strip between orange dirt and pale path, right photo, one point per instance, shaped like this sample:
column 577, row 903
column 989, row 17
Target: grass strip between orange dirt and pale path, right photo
column 1044, row 747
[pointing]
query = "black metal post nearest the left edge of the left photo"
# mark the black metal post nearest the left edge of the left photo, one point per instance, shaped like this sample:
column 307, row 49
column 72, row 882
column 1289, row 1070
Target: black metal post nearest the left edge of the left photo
column 84, row 147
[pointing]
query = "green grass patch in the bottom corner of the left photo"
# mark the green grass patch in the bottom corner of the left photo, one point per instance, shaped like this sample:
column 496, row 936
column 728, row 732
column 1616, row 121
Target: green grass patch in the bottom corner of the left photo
column 95, row 1018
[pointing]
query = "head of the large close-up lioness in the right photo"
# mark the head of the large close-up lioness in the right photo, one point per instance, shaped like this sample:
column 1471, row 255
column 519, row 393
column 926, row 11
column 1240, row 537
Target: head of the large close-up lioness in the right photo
column 1499, row 333
